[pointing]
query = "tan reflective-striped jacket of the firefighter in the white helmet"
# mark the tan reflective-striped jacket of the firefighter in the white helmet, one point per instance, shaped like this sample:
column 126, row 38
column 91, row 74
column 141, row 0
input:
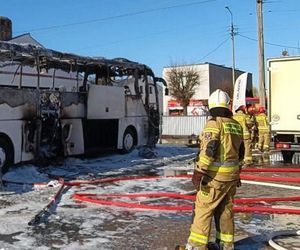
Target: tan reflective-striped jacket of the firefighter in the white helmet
column 221, row 149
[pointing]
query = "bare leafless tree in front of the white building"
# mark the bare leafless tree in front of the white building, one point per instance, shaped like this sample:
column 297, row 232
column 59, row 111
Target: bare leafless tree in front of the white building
column 182, row 81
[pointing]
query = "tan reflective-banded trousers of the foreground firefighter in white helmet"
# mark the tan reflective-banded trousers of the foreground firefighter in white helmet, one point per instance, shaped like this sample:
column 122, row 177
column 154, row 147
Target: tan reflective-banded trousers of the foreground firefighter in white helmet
column 214, row 200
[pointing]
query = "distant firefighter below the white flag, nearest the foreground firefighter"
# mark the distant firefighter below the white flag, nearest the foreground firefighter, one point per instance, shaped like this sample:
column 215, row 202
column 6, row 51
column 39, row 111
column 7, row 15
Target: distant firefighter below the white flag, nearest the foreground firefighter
column 241, row 117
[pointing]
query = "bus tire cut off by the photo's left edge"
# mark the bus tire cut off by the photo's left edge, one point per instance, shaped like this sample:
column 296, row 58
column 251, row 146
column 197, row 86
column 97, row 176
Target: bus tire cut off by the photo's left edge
column 6, row 154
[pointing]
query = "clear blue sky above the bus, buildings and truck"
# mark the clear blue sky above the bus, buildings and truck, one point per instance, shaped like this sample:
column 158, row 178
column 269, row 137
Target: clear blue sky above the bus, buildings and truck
column 159, row 32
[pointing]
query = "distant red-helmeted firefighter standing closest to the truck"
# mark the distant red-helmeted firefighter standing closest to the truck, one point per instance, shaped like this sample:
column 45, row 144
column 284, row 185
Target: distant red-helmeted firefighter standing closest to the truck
column 263, row 133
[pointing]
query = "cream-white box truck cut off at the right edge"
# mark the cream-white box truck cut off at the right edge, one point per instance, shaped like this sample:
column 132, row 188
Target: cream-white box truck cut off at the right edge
column 284, row 108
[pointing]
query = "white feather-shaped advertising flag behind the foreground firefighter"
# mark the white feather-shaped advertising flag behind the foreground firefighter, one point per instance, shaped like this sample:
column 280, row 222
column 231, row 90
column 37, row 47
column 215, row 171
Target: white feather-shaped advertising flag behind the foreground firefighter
column 239, row 92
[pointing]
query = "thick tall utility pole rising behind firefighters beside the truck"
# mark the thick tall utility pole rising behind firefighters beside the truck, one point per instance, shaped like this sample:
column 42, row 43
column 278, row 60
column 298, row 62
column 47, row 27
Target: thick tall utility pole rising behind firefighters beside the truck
column 261, row 54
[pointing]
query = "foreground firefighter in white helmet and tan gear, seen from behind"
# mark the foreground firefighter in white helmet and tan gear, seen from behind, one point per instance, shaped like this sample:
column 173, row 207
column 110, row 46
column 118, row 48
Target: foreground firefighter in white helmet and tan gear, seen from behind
column 216, row 176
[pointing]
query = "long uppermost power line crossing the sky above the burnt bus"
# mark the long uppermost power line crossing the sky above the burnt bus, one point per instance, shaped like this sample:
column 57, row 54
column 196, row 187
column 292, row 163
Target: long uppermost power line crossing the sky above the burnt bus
column 117, row 16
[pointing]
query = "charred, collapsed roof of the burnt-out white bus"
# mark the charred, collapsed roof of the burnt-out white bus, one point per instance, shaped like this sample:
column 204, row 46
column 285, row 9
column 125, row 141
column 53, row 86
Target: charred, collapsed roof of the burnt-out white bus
column 28, row 54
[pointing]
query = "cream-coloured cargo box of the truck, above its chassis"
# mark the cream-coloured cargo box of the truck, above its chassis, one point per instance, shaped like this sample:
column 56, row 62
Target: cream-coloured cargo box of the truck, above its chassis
column 284, row 94
